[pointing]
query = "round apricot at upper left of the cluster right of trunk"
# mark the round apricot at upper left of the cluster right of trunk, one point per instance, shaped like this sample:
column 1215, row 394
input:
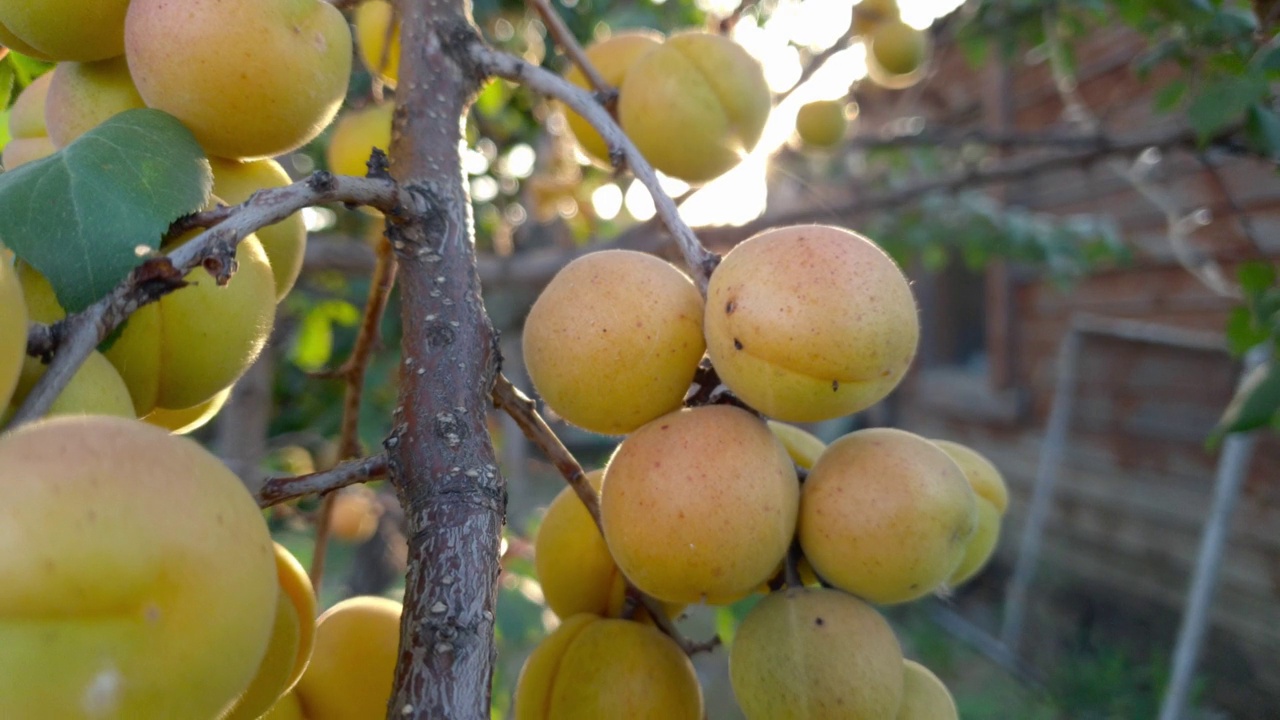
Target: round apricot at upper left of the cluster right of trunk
column 614, row 340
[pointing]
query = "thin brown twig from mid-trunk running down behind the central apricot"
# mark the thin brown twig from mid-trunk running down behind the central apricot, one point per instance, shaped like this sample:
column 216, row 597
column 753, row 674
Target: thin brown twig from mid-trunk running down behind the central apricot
column 524, row 412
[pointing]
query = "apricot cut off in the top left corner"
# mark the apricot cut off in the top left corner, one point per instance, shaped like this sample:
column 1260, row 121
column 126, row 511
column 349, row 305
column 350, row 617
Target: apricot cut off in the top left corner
column 67, row 30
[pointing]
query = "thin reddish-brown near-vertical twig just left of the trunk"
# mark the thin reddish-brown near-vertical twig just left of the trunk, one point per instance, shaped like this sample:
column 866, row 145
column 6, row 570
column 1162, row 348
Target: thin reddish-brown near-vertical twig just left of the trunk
column 354, row 373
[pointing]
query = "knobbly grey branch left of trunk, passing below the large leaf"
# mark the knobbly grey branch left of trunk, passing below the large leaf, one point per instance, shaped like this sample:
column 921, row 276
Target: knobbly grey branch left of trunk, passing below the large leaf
column 213, row 249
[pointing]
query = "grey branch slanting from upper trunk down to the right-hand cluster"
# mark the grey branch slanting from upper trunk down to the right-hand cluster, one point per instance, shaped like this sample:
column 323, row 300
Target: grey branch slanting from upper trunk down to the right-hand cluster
column 700, row 261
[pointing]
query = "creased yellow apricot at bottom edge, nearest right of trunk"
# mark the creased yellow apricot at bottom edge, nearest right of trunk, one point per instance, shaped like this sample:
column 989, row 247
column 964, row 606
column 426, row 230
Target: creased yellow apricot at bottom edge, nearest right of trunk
column 592, row 668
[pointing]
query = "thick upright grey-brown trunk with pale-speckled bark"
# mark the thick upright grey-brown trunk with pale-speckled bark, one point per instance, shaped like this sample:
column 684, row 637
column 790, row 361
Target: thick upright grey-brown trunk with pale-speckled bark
column 441, row 457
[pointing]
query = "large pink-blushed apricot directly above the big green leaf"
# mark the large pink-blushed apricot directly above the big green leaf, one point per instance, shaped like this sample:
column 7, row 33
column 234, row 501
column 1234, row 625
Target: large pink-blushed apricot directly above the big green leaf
column 250, row 79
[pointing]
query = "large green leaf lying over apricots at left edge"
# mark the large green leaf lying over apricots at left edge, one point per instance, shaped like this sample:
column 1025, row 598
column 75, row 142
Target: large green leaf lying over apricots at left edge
column 85, row 216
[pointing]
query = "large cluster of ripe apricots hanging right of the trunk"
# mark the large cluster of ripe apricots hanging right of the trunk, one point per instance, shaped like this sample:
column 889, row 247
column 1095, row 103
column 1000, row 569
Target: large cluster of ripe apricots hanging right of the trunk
column 705, row 503
